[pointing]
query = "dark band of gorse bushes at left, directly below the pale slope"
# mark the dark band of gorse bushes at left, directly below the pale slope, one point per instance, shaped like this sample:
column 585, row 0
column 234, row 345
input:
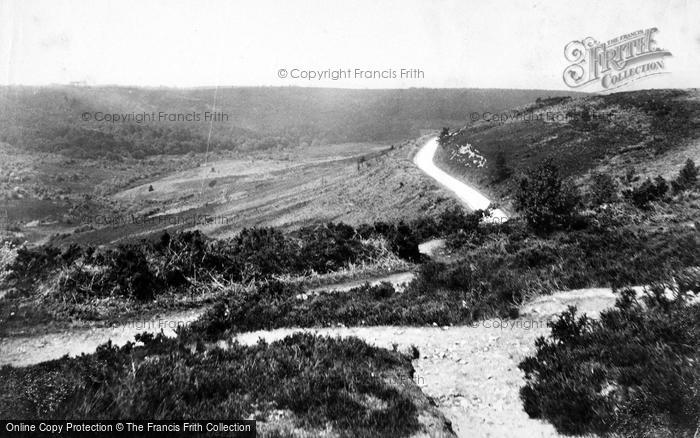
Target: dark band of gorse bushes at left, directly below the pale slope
column 144, row 269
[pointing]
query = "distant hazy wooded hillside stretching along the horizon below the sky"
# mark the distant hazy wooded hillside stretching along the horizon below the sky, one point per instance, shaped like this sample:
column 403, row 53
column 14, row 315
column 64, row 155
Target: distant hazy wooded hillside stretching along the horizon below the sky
column 49, row 119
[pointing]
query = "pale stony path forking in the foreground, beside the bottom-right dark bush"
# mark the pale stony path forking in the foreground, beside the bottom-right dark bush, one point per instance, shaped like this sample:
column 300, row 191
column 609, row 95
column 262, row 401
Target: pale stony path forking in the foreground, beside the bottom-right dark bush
column 471, row 371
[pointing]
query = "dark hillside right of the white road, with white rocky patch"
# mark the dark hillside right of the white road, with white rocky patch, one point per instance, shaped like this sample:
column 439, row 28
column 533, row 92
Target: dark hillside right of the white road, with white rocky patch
column 650, row 131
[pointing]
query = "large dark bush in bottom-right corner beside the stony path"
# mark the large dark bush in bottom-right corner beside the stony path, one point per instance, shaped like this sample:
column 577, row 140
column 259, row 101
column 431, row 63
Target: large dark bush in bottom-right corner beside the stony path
column 634, row 373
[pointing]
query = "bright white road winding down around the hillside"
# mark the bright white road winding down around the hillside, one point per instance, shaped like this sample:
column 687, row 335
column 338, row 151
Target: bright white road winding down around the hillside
column 470, row 196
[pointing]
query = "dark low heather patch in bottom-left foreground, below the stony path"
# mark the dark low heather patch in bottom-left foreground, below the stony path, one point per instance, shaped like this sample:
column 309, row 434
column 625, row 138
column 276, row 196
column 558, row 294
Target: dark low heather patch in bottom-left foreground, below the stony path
column 341, row 382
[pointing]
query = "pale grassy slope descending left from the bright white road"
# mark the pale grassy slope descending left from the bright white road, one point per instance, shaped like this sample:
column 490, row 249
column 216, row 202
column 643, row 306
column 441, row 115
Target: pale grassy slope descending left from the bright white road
column 376, row 183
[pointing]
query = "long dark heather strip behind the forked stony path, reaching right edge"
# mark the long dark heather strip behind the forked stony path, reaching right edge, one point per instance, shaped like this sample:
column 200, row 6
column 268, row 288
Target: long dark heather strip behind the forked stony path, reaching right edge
column 489, row 279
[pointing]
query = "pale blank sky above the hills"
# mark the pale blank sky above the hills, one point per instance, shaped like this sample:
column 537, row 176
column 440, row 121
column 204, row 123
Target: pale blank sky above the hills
column 461, row 43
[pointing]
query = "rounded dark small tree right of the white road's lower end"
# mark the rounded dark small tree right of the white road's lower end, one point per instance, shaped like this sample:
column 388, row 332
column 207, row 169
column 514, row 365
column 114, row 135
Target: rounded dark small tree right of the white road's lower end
column 544, row 199
